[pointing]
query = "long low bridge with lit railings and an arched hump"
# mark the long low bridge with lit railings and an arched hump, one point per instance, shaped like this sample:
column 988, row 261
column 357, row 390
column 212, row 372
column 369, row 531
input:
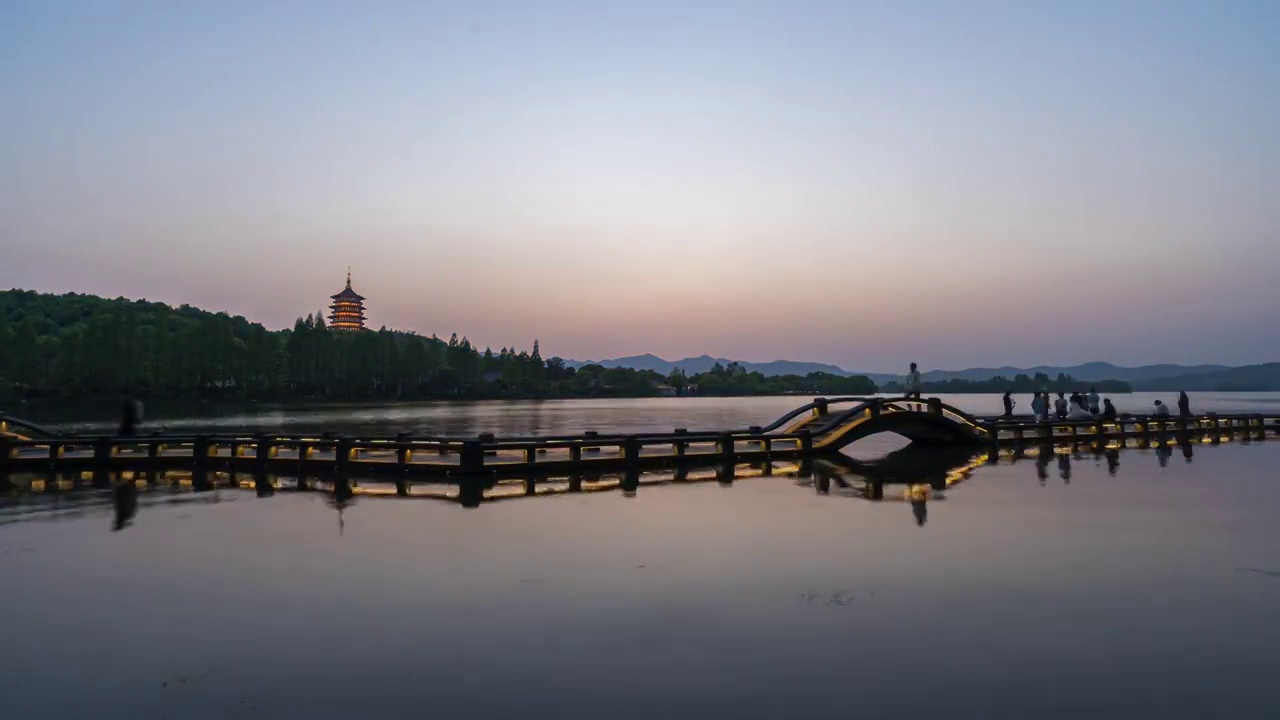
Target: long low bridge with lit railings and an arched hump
column 822, row 427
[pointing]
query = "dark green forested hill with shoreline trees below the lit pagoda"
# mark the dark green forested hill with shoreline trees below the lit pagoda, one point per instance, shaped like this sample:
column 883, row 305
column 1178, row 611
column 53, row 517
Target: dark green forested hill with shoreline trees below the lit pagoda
column 88, row 347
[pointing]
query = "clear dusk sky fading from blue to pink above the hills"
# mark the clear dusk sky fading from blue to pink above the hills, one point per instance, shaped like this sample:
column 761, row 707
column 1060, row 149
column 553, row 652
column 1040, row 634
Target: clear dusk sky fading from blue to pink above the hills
column 861, row 184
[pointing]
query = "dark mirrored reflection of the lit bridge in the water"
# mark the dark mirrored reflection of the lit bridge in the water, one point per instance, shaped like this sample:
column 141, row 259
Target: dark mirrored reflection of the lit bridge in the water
column 915, row 475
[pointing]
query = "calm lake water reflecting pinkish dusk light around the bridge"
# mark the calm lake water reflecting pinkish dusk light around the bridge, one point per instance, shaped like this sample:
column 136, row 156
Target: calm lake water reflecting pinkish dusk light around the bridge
column 1066, row 585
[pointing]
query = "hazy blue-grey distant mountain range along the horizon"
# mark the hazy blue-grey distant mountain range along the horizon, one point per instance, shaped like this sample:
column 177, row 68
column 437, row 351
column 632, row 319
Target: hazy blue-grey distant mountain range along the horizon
column 1162, row 377
